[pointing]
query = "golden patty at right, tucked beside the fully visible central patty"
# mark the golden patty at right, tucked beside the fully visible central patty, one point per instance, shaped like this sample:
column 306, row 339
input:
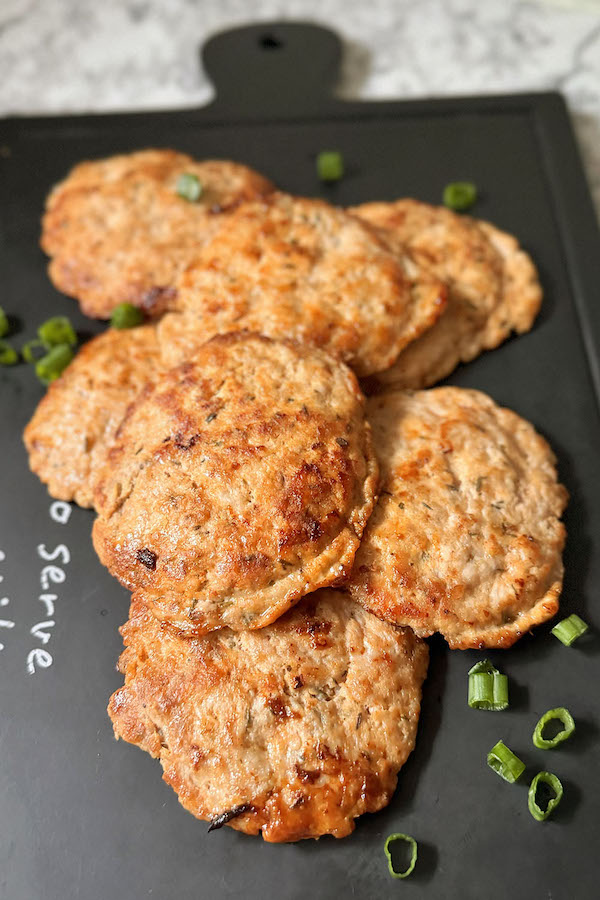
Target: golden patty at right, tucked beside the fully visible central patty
column 466, row 537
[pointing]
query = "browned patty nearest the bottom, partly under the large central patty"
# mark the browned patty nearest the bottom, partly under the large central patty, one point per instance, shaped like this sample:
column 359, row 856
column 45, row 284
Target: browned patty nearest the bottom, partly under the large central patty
column 294, row 730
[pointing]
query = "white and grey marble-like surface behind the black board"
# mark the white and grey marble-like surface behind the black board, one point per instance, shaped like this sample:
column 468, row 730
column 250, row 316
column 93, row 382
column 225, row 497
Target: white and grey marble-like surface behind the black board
column 83, row 55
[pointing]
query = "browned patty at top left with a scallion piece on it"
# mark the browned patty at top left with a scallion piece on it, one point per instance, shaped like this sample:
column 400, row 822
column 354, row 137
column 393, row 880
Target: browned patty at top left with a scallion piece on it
column 118, row 232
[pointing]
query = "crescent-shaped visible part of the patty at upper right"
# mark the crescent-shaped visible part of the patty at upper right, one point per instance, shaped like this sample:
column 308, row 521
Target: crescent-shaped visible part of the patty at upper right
column 493, row 287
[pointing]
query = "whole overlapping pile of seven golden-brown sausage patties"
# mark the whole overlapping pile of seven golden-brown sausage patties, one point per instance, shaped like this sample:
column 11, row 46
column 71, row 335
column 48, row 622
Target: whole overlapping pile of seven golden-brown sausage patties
column 289, row 543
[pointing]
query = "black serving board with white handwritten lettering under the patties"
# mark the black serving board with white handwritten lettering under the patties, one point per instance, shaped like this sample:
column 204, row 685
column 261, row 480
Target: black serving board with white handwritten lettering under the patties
column 82, row 816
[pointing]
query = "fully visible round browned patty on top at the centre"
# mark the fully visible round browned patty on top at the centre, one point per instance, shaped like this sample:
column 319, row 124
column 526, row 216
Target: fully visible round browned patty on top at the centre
column 237, row 484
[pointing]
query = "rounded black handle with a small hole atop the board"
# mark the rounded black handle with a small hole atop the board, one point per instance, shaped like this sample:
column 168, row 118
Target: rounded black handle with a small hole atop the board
column 272, row 68
